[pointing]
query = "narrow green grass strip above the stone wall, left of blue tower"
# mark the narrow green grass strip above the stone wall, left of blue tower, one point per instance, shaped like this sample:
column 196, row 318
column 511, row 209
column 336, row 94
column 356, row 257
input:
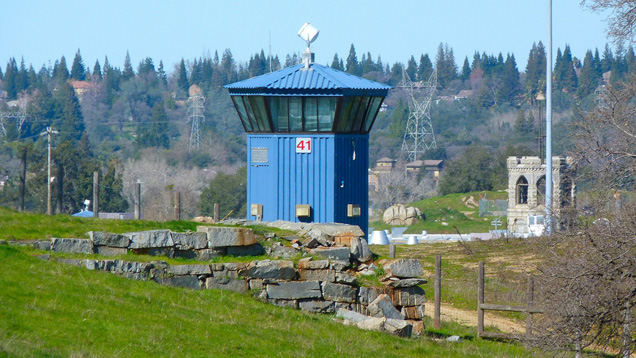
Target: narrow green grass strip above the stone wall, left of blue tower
column 30, row 226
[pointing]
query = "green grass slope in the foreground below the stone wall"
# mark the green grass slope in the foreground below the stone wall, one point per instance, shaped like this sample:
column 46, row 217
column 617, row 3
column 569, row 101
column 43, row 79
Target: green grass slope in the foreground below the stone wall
column 49, row 309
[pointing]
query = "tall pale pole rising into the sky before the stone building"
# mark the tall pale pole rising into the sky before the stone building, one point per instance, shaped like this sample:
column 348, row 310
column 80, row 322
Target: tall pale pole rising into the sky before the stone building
column 548, row 128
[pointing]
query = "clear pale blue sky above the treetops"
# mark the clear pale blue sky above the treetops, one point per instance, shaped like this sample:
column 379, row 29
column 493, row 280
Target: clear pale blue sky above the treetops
column 43, row 31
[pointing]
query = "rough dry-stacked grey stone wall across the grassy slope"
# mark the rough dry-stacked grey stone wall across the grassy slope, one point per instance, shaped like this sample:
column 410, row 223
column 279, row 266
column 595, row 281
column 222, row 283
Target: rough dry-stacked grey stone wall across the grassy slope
column 327, row 283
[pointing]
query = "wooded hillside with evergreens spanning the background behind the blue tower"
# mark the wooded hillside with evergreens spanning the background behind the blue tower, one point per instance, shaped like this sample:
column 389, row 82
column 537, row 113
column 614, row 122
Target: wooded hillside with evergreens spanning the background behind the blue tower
column 123, row 114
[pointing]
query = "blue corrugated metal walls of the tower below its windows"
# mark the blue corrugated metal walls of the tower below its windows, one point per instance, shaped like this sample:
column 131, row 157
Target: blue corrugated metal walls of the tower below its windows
column 315, row 178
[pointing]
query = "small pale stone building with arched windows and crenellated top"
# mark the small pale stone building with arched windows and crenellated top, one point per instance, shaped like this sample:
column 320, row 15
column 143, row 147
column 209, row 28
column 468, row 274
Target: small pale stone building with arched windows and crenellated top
column 526, row 193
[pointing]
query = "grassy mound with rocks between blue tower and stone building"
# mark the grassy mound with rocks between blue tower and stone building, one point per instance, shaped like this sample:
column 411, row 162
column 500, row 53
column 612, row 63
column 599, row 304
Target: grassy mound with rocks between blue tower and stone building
column 450, row 209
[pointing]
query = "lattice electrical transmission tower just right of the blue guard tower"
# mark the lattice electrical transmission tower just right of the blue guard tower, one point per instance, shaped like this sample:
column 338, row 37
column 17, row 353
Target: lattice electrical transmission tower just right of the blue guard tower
column 418, row 135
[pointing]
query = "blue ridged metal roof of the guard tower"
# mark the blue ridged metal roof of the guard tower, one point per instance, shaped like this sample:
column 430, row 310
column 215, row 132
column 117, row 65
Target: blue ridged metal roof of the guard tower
column 316, row 80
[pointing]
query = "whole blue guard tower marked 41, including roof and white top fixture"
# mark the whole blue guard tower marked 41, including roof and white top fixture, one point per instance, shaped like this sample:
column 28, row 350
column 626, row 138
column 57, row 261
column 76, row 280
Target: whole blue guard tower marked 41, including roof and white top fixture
column 308, row 142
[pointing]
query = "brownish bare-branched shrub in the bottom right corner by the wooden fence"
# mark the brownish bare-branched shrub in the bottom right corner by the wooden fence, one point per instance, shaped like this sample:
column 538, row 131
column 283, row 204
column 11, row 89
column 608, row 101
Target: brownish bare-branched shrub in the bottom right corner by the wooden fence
column 588, row 285
